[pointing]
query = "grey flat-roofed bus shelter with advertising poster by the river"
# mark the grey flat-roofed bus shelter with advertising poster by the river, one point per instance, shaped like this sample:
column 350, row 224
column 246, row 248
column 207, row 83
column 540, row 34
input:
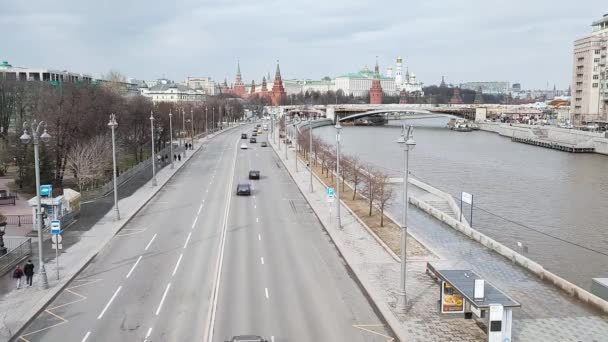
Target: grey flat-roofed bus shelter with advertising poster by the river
column 464, row 291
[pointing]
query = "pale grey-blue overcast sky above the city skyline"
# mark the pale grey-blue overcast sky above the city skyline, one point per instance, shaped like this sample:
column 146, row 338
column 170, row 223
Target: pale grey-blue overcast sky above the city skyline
column 527, row 41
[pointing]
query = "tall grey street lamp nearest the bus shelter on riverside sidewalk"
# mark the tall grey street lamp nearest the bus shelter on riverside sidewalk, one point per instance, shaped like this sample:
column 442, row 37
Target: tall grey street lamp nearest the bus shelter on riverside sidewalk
column 408, row 143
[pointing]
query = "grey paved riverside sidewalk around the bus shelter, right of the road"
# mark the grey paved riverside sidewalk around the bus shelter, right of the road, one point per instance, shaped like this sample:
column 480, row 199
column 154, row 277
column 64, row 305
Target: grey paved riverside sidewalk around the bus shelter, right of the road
column 547, row 314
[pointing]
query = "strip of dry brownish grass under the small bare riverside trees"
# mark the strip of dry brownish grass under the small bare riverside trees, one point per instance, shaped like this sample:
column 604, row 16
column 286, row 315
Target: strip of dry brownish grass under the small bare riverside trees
column 390, row 234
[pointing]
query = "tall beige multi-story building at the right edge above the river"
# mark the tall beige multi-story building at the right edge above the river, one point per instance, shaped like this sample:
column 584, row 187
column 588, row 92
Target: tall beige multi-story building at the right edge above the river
column 590, row 76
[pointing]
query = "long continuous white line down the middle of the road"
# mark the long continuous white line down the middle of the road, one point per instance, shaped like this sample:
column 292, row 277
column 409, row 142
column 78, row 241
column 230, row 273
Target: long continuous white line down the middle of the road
column 220, row 260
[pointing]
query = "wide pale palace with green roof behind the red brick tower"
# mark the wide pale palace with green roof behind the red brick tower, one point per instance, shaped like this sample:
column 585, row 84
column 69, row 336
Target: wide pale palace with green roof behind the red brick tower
column 358, row 84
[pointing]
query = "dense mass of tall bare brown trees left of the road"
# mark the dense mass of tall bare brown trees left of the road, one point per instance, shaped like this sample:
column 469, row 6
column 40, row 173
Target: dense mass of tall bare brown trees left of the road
column 77, row 115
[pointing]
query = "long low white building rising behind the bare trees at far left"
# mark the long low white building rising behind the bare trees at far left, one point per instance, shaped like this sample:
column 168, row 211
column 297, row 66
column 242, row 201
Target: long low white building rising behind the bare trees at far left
column 10, row 72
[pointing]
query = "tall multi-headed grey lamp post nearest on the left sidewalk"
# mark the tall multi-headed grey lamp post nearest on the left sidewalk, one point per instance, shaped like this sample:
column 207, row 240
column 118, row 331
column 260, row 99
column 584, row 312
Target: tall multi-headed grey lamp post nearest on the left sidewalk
column 35, row 138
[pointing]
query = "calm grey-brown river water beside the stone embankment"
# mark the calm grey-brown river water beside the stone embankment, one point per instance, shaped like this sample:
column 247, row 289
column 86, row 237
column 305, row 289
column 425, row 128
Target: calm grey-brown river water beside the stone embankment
column 555, row 203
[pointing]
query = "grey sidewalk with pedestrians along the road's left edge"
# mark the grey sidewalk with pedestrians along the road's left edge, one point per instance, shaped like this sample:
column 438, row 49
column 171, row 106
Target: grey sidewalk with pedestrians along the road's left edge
column 81, row 244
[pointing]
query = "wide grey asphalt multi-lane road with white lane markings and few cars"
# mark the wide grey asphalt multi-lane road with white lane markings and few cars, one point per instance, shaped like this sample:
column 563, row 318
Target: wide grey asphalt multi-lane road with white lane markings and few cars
column 199, row 263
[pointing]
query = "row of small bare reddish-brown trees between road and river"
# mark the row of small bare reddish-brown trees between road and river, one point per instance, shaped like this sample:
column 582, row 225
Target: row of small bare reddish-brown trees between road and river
column 365, row 179
